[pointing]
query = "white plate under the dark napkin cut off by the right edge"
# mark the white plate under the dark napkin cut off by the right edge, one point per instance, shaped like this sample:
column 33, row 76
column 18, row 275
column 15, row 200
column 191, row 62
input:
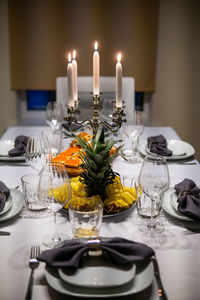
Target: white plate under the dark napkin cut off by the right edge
column 169, row 198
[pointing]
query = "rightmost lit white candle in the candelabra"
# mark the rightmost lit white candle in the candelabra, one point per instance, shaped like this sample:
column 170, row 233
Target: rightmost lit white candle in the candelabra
column 119, row 82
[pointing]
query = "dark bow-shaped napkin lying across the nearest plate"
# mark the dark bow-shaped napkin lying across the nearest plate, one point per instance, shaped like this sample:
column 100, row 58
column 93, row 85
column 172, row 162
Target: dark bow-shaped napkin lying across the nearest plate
column 115, row 250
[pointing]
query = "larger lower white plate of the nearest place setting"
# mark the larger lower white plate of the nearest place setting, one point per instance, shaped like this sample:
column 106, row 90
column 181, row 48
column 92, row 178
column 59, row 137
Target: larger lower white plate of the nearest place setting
column 143, row 278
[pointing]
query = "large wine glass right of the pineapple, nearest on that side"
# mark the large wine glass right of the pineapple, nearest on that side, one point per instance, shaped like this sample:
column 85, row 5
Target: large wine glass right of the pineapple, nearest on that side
column 153, row 182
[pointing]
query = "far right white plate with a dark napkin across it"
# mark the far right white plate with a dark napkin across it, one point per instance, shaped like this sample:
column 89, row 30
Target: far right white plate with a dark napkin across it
column 180, row 149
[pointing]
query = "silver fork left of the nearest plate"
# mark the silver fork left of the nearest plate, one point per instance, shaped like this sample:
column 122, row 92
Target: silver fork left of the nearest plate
column 33, row 264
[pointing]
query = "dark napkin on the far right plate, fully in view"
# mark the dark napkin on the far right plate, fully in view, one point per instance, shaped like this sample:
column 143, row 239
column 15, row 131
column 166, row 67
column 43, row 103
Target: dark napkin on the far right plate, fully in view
column 158, row 144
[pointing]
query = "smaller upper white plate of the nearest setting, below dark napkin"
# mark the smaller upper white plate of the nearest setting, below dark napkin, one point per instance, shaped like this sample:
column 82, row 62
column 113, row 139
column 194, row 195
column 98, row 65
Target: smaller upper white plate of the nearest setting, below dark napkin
column 97, row 273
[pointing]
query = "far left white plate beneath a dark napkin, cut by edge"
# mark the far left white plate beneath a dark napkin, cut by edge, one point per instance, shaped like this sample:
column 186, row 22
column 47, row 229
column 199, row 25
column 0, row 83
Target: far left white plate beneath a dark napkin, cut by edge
column 6, row 146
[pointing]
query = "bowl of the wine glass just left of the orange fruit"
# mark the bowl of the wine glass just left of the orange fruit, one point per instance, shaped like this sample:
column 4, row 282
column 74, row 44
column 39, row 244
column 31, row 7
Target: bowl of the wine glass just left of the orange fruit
column 38, row 151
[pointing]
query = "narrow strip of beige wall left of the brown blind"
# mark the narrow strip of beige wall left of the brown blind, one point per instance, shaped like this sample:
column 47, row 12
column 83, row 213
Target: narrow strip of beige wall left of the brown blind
column 7, row 98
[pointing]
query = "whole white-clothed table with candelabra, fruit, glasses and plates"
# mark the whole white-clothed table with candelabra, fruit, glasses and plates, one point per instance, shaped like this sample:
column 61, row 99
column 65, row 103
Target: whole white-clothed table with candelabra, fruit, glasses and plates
column 82, row 218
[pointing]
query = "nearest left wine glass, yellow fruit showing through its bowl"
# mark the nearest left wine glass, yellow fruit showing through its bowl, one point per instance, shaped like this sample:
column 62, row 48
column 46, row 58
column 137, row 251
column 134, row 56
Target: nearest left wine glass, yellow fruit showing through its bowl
column 54, row 191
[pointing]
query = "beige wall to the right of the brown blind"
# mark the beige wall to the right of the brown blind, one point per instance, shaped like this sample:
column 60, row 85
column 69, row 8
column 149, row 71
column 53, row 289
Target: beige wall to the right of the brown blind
column 177, row 98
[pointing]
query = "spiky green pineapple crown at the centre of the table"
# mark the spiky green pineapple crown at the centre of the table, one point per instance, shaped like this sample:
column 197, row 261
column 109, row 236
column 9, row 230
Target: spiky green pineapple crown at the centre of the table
column 96, row 164
